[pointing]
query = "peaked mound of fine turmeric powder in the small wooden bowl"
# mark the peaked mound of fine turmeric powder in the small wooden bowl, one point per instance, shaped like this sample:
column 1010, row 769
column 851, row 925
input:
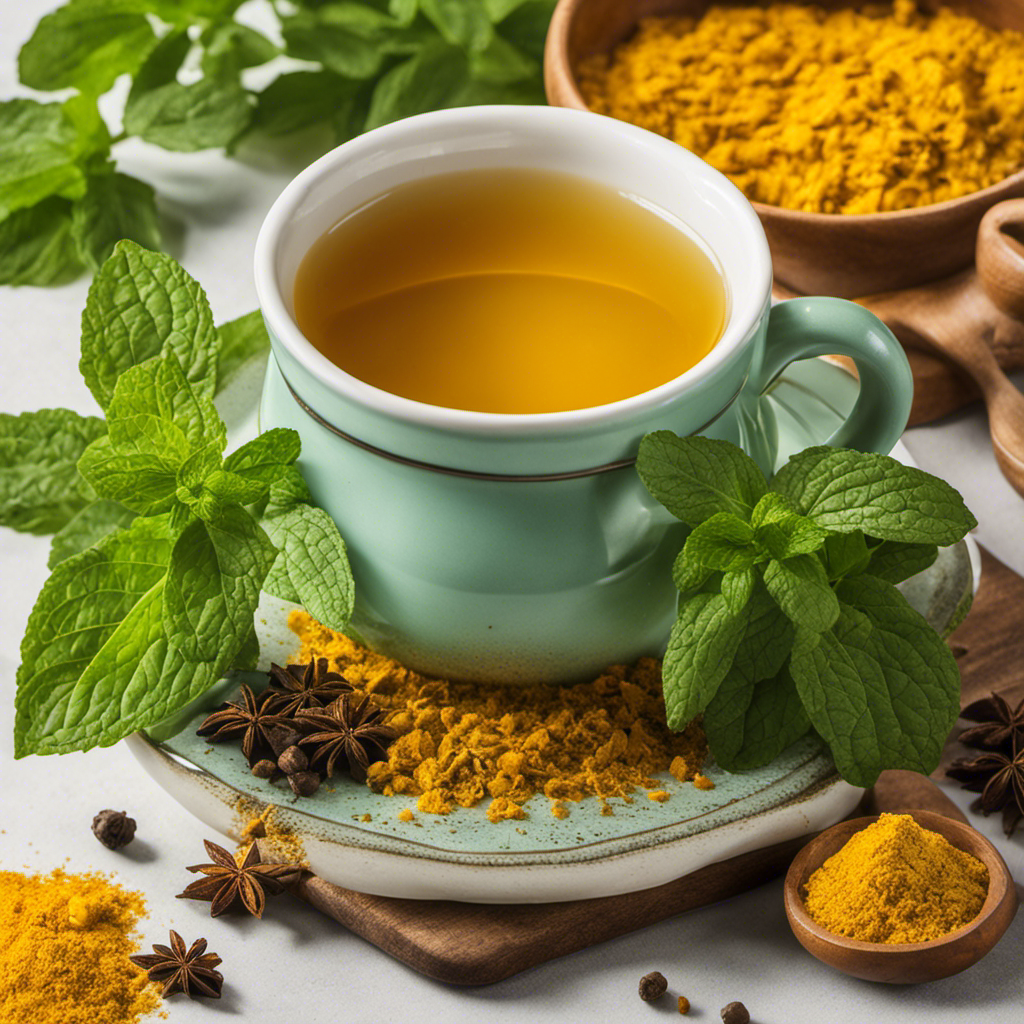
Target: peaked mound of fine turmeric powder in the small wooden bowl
column 897, row 882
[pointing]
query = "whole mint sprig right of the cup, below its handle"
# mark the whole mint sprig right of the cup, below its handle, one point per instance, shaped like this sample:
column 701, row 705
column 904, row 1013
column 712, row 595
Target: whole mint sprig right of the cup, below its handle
column 789, row 618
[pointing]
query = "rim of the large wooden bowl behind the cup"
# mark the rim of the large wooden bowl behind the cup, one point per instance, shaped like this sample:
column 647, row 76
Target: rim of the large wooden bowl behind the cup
column 557, row 59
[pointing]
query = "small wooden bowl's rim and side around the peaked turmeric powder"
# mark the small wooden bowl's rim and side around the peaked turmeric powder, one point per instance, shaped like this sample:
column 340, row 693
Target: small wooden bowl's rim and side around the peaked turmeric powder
column 1001, row 885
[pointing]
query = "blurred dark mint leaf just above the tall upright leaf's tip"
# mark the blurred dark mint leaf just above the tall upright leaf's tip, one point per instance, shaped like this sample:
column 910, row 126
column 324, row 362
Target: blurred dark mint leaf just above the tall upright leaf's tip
column 114, row 207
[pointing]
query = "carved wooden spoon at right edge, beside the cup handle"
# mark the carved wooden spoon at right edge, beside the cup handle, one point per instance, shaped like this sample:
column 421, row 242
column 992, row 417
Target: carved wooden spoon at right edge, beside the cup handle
column 964, row 317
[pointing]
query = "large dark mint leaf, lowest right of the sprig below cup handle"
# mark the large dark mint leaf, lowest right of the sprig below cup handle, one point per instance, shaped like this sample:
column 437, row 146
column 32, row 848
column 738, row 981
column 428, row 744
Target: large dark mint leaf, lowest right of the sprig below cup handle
column 881, row 688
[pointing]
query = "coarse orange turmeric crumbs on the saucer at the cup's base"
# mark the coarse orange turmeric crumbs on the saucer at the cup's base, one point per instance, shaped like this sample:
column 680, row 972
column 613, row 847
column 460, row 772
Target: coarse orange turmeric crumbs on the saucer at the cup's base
column 460, row 744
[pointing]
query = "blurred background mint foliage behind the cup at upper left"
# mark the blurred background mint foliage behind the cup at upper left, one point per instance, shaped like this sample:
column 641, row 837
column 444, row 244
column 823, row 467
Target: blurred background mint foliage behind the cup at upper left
column 64, row 203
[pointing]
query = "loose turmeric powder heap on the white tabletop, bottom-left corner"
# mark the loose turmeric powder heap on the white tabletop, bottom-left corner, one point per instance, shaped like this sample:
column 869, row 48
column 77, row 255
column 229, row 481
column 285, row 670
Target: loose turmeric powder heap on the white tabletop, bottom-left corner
column 65, row 942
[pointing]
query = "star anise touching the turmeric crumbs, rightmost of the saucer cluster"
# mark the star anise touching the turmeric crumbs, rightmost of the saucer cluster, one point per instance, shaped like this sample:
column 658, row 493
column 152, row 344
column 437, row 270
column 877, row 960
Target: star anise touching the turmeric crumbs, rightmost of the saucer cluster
column 354, row 734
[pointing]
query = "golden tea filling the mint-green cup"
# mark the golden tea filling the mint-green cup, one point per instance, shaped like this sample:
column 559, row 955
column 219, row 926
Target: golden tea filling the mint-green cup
column 509, row 291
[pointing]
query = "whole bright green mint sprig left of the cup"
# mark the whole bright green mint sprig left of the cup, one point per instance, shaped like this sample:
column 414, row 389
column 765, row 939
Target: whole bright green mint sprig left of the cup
column 163, row 541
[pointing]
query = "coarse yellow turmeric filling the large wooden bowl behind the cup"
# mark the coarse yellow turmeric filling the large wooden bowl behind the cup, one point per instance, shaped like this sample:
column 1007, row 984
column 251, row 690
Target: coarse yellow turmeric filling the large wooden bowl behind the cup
column 849, row 111
